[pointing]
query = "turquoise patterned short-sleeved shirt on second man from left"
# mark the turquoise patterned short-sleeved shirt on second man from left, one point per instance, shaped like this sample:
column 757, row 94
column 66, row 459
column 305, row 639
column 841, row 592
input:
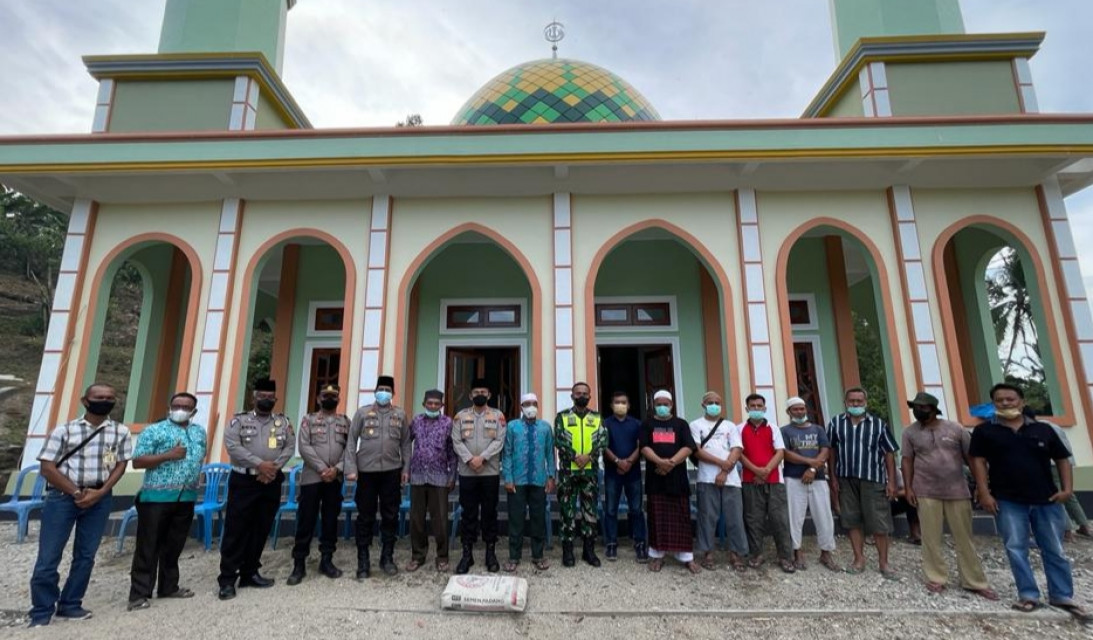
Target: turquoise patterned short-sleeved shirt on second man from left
column 175, row 481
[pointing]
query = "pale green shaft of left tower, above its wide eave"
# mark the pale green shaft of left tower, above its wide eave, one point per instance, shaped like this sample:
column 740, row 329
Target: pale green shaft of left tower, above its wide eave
column 225, row 26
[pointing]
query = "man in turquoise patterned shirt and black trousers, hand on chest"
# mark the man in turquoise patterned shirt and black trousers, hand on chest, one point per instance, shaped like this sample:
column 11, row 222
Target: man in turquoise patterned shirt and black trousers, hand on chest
column 172, row 452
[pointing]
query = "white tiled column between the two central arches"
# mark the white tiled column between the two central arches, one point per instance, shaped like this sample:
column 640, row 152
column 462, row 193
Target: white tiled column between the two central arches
column 565, row 366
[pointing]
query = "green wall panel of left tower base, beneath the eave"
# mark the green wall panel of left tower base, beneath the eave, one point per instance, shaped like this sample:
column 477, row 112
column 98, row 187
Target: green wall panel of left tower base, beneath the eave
column 190, row 105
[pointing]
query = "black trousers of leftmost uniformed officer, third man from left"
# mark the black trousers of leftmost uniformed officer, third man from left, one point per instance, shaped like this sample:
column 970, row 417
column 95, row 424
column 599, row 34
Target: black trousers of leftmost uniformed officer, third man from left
column 249, row 518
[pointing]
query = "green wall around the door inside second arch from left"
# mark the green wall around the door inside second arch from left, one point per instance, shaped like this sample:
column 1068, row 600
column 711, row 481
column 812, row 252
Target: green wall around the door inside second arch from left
column 321, row 277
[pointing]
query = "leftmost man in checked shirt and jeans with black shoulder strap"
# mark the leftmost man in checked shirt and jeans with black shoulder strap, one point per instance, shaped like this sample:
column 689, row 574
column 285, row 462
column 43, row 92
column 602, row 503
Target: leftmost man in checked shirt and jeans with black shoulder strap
column 83, row 461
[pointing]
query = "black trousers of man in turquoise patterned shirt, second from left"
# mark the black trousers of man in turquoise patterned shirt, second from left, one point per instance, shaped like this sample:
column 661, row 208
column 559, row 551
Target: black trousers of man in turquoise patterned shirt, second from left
column 162, row 529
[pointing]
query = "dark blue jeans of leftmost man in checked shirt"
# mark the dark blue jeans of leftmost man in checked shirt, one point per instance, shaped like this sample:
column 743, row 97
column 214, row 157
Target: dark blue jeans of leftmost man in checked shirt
column 60, row 516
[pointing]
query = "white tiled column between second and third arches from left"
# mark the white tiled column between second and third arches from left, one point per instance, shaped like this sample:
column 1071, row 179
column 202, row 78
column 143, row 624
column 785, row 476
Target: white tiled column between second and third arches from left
column 375, row 293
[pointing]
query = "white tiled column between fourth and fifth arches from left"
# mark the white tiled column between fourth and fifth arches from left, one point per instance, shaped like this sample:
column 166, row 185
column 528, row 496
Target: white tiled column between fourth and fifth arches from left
column 759, row 328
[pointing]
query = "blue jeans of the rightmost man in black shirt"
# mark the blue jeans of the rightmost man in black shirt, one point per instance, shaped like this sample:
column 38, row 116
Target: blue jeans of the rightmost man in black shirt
column 1048, row 524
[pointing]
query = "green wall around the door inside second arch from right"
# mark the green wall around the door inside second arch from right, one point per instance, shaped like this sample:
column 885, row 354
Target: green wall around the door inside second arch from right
column 807, row 274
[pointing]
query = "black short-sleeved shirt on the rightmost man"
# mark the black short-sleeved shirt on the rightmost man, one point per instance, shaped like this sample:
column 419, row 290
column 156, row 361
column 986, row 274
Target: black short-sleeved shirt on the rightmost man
column 1019, row 461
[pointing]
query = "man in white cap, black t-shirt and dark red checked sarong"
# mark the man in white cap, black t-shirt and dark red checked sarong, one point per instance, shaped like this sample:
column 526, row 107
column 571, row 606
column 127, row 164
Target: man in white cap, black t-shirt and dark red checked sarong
column 666, row 445
